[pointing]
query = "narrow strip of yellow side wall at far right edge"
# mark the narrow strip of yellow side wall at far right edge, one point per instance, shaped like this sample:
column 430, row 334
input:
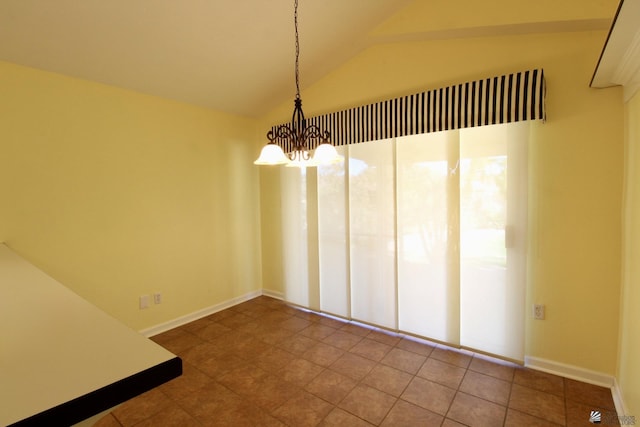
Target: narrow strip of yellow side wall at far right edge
column 628, row 362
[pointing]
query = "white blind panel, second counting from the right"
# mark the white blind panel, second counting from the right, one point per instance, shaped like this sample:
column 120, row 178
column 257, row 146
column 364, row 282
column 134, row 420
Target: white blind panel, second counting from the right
column 427, row 290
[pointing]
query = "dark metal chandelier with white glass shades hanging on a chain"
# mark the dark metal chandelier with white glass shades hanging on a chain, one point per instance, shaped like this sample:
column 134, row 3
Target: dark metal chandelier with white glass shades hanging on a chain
column 298, row 134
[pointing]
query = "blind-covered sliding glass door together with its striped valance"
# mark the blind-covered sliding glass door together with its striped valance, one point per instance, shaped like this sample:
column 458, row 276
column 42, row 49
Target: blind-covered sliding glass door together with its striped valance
column 424, row 232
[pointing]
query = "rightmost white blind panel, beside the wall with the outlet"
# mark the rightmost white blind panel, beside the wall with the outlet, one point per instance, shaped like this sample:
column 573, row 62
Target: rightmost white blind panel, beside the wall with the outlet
column 493, row 205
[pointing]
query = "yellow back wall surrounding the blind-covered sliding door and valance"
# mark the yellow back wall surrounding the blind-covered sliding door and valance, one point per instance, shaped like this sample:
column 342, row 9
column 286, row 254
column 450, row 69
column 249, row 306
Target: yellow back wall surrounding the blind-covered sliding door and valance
column 576, row 167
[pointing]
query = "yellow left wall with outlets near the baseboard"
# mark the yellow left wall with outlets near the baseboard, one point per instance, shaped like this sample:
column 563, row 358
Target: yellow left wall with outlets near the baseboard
column 117, row 194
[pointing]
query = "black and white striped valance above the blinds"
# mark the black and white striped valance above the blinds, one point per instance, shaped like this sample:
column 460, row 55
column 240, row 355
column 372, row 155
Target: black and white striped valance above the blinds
column 502, row 99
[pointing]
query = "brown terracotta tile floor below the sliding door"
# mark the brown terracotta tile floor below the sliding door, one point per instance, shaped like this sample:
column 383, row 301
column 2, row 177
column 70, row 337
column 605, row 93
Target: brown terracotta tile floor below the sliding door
column 264, row 363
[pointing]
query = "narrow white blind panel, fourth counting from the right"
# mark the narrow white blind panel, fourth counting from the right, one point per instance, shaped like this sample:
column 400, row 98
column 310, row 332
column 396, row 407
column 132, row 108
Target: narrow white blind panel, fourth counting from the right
column 333, row 238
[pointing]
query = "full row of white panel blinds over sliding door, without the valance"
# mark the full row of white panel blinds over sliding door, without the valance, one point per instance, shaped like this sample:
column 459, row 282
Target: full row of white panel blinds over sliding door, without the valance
column 425, row 234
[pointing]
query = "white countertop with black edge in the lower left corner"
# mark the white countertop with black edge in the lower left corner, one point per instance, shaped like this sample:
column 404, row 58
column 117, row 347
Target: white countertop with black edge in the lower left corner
column 63, row 360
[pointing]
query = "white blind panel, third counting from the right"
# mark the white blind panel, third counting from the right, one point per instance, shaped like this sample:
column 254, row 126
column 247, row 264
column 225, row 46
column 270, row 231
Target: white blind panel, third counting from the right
column 372, row 233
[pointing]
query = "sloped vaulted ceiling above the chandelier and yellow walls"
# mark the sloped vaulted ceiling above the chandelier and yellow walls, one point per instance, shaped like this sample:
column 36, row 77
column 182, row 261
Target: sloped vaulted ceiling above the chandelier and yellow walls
column 238, row 55
